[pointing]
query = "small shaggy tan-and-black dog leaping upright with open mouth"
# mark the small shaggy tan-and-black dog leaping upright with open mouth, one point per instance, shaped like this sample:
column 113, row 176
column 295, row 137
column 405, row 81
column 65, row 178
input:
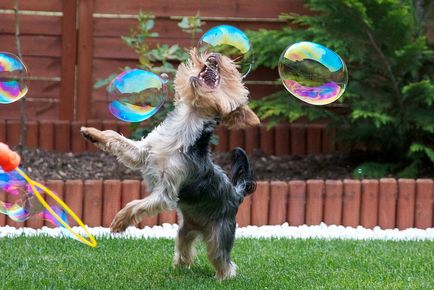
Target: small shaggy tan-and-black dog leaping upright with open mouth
column 176, row 162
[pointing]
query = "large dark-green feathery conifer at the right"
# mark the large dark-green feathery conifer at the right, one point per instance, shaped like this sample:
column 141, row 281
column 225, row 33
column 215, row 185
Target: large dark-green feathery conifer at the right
column 390, row 95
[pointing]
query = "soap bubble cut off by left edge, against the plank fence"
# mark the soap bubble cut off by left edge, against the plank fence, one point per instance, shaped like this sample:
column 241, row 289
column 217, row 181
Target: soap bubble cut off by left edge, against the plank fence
column 13, row 78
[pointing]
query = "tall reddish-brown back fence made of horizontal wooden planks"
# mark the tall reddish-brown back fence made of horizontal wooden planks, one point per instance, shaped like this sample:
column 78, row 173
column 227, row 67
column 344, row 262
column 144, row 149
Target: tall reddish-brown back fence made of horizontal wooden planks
column 69, row 44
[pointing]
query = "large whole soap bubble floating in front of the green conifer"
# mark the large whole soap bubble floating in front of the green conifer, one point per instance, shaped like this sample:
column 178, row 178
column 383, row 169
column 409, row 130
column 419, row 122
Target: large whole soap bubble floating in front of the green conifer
column 313, row 73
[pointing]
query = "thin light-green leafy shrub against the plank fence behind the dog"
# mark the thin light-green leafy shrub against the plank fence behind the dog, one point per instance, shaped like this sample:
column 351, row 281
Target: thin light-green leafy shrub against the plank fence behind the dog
column 159, row 60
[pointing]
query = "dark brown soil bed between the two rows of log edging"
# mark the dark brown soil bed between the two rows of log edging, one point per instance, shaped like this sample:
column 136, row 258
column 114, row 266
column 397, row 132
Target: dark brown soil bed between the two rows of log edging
column 99, row 165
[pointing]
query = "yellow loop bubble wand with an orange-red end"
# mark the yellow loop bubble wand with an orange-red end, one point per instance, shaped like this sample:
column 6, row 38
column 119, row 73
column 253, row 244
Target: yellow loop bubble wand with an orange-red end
column 9, row 160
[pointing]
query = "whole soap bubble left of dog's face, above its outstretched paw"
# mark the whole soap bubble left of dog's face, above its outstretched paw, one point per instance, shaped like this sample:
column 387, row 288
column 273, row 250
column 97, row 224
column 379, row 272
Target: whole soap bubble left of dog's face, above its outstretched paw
column 136, row 95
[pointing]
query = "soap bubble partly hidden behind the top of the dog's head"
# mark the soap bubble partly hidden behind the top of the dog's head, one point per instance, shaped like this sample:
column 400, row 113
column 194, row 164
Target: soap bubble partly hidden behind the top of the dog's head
column 231, row 42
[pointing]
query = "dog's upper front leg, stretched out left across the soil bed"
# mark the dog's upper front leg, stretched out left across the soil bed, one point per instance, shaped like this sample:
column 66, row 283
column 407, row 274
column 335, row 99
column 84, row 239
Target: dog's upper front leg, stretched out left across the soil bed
column 131, row 153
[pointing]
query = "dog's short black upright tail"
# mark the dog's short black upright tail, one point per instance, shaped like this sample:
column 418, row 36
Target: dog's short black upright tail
column 242, row 175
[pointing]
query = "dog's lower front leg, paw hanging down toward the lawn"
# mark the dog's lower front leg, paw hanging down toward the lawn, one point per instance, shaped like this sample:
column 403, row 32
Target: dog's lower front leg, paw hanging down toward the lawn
column 135, row 210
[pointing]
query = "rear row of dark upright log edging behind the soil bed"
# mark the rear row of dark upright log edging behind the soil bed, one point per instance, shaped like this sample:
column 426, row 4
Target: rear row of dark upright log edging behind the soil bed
column 64, row 136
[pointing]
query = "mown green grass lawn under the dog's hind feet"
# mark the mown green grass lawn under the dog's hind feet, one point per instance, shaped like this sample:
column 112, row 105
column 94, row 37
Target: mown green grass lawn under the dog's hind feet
column 35, row 263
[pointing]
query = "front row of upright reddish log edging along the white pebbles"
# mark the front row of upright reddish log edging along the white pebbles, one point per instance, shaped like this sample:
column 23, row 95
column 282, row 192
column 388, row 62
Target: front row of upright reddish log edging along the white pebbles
column 388, row 203
